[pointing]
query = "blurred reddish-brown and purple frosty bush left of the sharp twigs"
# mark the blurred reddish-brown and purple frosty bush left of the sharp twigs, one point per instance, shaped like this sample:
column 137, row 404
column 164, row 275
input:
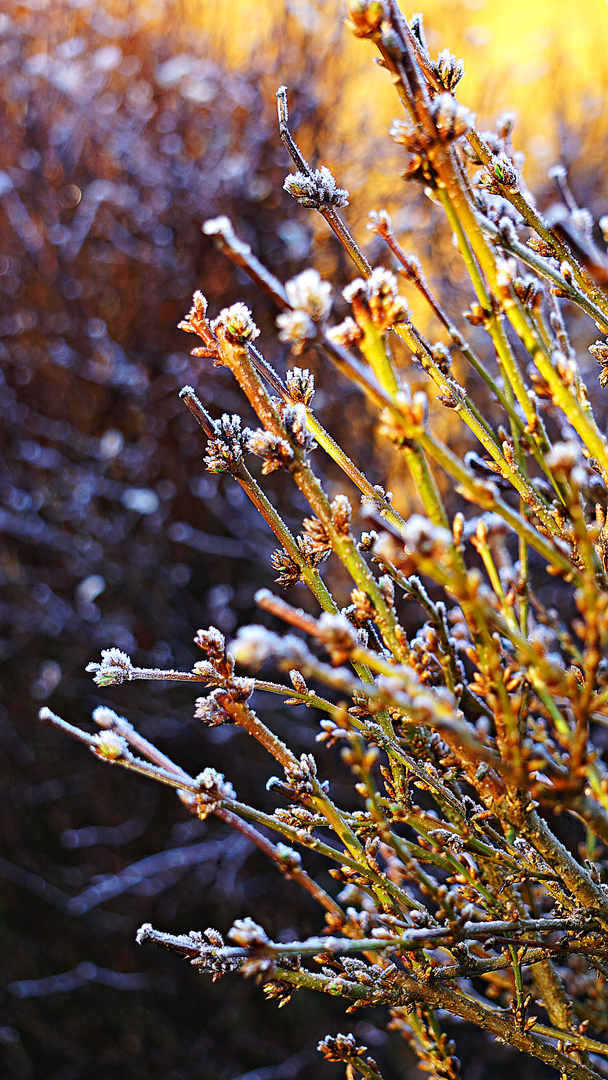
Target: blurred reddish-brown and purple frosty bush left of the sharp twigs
column 118, row 138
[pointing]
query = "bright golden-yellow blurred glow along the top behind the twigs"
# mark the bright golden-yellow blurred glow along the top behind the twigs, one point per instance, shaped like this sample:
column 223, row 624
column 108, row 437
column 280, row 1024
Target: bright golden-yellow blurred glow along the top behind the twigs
column 547, row 60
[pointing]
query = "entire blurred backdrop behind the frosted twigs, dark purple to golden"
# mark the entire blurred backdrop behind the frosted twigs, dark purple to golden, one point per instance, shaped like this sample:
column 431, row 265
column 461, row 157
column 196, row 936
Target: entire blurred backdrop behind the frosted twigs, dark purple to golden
column 123, row 128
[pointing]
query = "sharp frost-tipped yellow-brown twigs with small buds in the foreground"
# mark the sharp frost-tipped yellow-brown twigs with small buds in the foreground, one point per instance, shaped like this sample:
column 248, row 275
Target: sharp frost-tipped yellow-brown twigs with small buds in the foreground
column 468, row 741
